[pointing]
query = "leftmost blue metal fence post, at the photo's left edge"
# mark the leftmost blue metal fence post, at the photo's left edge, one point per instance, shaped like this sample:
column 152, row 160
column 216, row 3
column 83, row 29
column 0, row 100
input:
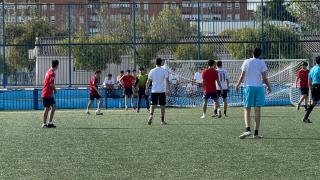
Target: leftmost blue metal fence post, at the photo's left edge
column 5, row 77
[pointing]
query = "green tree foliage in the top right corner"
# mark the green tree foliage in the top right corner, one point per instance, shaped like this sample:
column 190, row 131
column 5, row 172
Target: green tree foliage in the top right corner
column 307, row 14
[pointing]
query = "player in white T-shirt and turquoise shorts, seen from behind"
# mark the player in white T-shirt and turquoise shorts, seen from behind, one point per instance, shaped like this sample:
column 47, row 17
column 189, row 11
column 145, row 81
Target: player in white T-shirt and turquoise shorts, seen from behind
column 252, row 71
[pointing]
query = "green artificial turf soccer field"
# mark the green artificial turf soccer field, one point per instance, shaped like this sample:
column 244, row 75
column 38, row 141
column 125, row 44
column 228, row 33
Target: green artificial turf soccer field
column 120, row 145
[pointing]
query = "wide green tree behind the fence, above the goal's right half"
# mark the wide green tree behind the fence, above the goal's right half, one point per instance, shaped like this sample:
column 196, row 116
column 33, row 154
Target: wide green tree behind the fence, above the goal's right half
column 281, row 43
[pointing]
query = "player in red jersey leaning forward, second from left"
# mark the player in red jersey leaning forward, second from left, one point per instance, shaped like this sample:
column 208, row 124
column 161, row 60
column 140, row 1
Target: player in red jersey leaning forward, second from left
column 94, row 93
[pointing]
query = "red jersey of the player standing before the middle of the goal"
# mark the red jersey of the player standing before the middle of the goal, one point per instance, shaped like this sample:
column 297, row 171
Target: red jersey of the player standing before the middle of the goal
column 209, row 77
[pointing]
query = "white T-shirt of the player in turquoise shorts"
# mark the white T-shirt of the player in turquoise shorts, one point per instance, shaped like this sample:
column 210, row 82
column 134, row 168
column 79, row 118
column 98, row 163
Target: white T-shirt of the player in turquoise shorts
column 253, row 68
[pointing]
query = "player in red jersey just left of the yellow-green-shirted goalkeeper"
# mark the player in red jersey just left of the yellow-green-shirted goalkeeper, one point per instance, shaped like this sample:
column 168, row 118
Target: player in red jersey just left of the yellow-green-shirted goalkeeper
column 128, row 82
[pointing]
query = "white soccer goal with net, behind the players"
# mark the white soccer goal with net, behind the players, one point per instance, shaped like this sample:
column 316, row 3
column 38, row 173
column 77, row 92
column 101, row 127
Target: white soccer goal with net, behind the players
column 187, row 92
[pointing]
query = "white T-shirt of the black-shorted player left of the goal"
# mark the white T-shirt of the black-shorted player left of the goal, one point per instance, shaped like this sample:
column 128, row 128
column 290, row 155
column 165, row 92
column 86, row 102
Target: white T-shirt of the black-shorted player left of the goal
column 158, row 76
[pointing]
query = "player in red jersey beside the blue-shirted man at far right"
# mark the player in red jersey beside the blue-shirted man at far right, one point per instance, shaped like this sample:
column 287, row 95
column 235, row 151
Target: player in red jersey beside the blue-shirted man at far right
column 302, row 77
